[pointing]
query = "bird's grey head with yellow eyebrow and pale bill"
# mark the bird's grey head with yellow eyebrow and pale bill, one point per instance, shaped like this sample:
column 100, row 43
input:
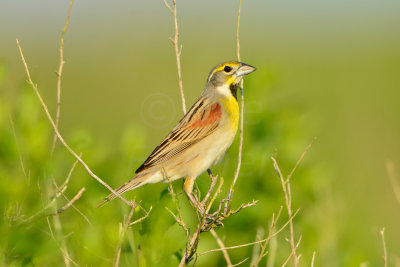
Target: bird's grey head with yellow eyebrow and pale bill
column 225, row 77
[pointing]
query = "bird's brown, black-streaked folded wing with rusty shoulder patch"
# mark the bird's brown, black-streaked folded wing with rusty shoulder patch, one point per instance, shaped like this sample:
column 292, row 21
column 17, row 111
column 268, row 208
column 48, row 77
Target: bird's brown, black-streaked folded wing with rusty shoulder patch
column 200, row 121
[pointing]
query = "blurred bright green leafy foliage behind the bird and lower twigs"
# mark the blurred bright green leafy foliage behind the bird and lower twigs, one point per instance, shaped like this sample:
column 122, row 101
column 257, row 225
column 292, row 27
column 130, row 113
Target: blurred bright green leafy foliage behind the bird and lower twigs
column 27, row 173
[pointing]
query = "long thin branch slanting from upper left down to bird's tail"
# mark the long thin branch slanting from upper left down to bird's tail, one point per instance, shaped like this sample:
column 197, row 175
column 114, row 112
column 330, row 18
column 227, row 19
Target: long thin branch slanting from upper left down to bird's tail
column 34, row 87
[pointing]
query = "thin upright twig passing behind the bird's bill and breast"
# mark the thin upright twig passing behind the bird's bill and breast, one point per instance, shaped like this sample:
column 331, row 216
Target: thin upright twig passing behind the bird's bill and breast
column 231, row 190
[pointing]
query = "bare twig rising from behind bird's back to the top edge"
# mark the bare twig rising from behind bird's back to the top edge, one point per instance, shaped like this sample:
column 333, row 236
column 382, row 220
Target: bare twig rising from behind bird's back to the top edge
column 178, row 50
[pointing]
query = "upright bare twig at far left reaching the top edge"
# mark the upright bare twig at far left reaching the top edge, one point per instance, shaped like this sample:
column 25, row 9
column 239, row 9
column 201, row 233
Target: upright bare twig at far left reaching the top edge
column 59, row 74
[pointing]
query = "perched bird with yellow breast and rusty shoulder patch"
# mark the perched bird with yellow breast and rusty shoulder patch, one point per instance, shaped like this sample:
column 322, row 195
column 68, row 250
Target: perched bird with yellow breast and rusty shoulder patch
column 200, row 138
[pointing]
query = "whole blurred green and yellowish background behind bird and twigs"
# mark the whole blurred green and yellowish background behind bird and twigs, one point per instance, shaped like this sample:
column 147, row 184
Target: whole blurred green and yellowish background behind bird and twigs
column 326, row 69
